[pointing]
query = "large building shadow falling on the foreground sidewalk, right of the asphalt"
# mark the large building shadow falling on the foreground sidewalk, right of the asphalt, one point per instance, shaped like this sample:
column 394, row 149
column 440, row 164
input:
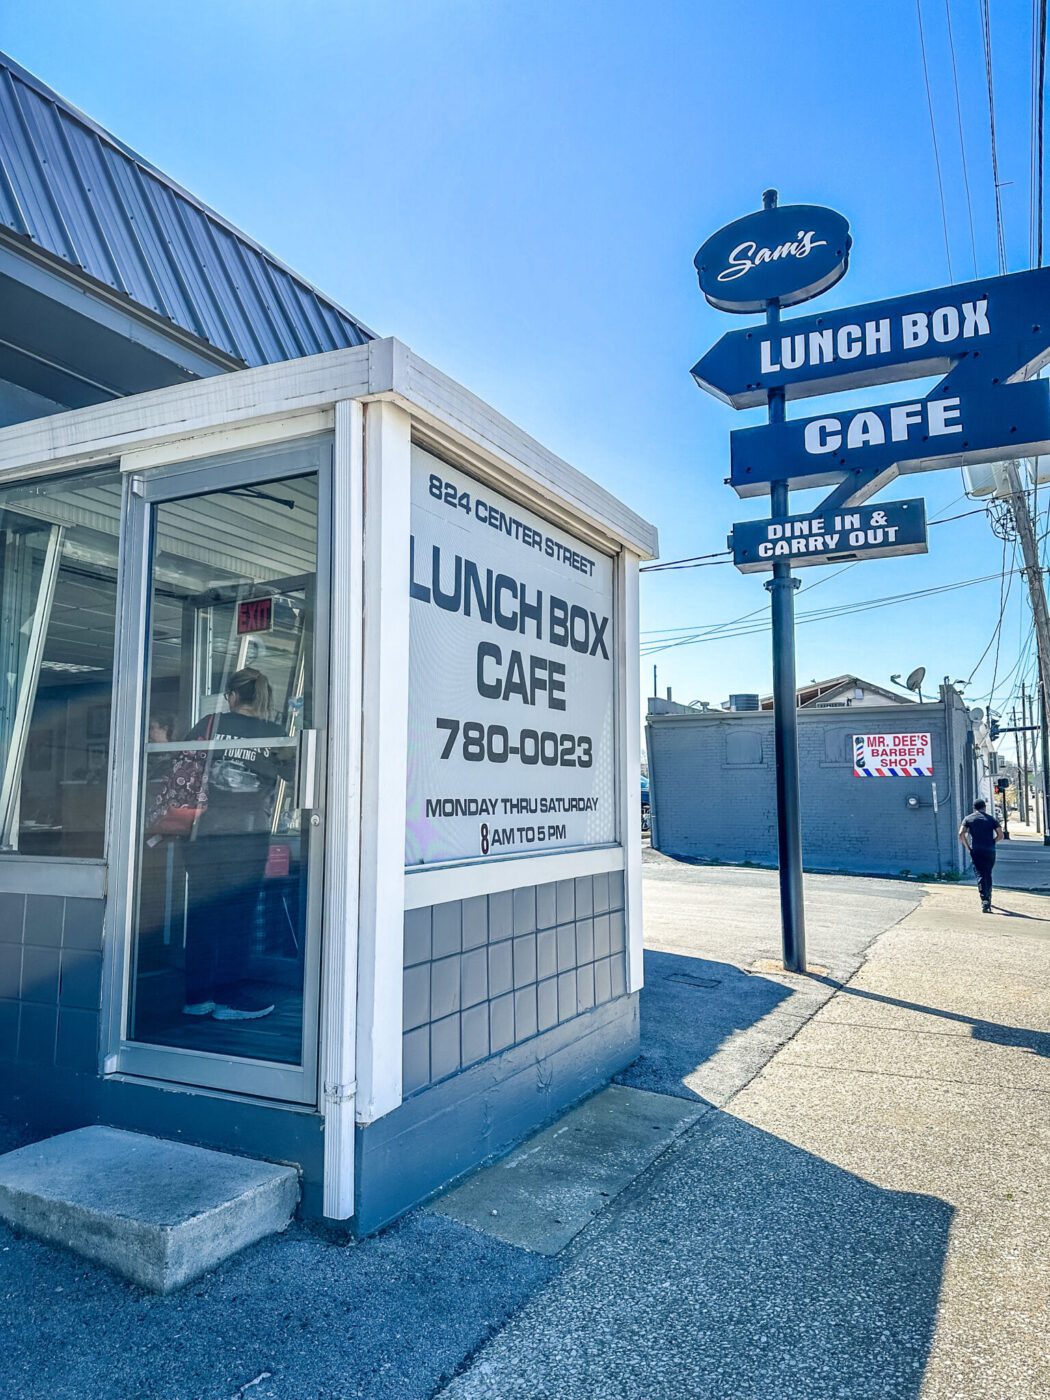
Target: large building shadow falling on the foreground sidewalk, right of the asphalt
column 747, row 1269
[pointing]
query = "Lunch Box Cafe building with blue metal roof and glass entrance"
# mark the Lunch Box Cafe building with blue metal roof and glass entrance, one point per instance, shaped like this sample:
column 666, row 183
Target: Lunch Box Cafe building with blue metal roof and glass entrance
column 318, row 709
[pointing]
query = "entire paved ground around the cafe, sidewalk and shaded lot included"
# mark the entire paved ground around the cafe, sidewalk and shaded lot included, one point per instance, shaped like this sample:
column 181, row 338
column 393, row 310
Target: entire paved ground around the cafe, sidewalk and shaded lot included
column 857, row 1207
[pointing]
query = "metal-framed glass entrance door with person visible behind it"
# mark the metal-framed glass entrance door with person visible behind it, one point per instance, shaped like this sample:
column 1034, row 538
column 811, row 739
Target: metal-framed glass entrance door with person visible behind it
column 226, row 904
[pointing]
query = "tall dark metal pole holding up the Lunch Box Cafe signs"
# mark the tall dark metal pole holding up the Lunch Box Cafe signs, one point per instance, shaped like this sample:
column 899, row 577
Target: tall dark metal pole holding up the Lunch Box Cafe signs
column 782, row 589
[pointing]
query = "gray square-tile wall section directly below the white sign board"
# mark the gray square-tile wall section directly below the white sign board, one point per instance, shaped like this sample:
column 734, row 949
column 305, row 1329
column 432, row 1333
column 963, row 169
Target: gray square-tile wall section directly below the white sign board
column 485, row 974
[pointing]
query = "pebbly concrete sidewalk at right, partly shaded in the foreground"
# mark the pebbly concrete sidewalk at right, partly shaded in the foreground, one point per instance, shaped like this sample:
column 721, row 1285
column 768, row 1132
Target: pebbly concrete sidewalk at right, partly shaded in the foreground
column 867, row 1219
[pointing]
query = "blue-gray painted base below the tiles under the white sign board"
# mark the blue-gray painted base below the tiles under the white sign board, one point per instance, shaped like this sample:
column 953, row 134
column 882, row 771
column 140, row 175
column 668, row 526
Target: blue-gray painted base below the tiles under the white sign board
column 453, row 1128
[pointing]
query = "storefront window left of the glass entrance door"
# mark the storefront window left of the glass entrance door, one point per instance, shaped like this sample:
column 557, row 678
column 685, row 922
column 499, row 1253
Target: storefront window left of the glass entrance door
column 58, row 610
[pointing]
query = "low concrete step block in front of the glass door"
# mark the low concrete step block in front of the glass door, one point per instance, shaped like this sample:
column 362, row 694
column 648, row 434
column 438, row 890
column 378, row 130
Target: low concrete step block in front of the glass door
column 156, row 1212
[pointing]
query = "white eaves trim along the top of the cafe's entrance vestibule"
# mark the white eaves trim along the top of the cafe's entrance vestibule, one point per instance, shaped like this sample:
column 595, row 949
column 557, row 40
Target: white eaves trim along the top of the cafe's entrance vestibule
column 444, row 414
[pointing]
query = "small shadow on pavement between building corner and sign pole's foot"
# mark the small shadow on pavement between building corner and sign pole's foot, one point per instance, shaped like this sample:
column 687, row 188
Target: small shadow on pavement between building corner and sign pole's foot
column 691, row 1007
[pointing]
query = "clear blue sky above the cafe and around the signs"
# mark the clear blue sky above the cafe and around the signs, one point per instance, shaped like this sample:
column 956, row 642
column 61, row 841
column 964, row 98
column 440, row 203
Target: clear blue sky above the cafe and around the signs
column 517, row 191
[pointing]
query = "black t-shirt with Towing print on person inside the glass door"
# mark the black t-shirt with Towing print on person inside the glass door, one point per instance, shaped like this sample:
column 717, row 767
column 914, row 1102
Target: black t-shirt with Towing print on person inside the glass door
column 241, row 782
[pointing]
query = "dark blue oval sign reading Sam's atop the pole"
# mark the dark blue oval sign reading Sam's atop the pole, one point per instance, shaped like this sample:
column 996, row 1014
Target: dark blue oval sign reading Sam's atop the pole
column 786, row 255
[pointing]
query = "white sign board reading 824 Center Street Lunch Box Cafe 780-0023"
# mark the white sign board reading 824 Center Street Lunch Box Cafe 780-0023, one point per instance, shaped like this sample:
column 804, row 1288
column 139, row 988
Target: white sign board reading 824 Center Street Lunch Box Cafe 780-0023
column 512, row 678
